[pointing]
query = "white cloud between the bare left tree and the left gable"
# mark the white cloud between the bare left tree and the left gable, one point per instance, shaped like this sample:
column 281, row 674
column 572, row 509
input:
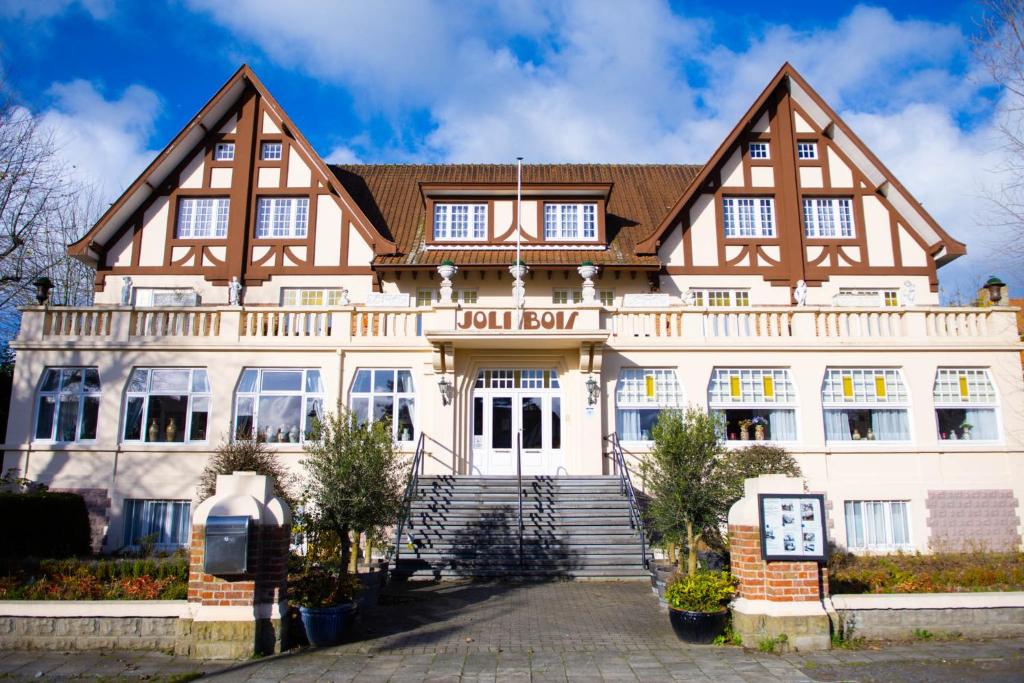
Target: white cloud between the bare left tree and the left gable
column 104, row 142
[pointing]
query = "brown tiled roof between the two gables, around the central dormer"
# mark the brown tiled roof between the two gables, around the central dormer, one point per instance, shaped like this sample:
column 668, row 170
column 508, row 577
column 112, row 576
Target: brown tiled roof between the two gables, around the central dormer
column 642, row 195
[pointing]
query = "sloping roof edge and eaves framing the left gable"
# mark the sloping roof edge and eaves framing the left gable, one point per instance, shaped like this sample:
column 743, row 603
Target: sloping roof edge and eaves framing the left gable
column 185, row 145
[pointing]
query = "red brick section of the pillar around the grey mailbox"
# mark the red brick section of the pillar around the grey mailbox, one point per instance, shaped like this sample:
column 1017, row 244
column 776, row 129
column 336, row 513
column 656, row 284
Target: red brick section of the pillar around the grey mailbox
column 266, row 584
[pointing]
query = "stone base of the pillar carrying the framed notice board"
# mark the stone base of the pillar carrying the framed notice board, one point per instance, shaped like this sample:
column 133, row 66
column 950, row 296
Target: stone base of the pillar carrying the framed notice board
column 805, row 626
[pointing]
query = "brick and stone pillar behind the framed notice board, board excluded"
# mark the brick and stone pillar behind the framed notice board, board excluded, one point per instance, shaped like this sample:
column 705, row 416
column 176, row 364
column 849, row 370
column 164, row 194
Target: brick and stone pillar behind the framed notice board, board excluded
column 775, row 599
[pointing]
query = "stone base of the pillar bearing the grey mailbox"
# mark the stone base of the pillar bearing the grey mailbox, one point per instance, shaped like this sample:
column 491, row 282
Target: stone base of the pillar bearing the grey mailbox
column 229, row 641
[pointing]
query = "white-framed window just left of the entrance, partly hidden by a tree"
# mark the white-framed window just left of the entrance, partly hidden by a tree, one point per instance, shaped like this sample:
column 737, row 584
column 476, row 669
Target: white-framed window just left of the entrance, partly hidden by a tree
column 387, row 395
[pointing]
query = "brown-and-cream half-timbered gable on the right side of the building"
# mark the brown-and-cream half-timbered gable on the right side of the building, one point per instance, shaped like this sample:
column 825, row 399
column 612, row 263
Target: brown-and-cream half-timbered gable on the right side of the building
column 793, row 195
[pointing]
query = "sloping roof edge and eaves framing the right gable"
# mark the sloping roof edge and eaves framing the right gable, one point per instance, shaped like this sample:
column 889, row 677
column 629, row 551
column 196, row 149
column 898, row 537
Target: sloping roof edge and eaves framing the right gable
column 943, row 247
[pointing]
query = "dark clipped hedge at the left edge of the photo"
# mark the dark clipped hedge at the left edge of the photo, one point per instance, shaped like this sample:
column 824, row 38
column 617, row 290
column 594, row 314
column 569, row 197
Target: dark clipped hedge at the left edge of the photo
column 45, row 525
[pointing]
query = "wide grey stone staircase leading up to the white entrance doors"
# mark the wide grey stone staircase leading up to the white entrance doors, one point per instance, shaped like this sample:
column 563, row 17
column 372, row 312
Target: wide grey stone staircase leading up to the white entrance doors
column 574, row 528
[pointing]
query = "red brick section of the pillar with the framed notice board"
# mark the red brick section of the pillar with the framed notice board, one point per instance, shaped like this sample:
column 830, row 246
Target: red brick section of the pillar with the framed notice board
column 780, row 582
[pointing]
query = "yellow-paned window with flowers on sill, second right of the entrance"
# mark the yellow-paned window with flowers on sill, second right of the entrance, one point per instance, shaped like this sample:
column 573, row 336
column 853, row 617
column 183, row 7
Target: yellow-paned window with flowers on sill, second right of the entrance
column 749, row 398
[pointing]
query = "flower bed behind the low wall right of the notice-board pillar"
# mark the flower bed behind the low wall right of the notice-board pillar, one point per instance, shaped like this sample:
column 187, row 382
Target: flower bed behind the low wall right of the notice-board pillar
column 940, row 573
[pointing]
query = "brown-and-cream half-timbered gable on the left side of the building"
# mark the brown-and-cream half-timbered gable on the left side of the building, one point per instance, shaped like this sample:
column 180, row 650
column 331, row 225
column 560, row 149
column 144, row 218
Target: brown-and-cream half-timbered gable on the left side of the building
column 238, row 194
